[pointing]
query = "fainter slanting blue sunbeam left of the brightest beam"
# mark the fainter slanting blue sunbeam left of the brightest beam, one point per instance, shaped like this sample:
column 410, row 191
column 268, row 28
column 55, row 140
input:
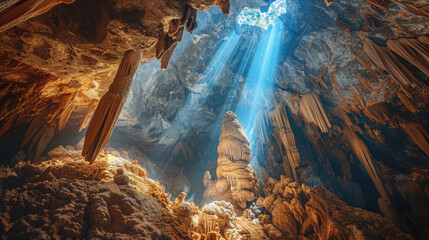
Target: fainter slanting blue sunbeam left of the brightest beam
column 203, row 89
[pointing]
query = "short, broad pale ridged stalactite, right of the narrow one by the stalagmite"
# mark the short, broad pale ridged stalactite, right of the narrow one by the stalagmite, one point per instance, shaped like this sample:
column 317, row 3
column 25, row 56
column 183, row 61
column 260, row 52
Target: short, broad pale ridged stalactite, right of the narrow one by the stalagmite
column 312, row 110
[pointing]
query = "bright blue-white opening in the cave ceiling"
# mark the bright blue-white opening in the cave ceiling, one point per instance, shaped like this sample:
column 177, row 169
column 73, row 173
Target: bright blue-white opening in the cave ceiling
column 254, row 17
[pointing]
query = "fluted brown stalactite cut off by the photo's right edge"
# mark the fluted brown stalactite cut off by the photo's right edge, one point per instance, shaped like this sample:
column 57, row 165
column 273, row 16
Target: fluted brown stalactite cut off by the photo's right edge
column 414, row 50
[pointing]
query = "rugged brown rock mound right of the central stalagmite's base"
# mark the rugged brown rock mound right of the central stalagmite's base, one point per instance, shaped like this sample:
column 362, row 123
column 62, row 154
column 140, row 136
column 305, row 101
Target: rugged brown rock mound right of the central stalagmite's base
column 314, row 213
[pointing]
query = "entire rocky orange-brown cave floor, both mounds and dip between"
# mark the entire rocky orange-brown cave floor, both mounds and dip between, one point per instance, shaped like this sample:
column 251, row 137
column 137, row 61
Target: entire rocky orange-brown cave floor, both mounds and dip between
column 113, row 197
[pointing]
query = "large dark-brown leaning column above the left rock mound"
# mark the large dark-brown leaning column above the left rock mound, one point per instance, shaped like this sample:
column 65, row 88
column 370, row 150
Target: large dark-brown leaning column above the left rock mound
column 110, row 106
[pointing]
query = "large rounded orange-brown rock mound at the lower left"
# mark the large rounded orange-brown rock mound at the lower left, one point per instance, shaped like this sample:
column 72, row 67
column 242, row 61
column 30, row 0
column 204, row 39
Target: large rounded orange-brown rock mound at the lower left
column 67, row 197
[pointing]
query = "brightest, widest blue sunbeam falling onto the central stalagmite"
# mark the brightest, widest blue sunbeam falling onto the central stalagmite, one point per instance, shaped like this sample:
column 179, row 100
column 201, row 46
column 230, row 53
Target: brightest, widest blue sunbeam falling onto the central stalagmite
column 260, row 80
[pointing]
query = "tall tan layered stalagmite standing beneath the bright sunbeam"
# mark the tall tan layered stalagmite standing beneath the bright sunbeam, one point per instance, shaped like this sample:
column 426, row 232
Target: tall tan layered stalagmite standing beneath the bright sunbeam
column 236, row 181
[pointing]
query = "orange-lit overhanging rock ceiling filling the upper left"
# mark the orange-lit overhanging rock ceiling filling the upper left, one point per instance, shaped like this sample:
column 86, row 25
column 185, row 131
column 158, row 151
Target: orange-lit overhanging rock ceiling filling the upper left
column 65, row 59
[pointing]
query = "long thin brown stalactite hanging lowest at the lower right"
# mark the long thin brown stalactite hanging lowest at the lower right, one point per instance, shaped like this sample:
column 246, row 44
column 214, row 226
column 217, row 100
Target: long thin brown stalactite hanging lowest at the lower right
column 361, row 150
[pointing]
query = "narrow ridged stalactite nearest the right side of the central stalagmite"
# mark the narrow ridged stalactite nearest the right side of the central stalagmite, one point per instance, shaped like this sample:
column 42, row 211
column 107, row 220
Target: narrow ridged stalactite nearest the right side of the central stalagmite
column 285, row 139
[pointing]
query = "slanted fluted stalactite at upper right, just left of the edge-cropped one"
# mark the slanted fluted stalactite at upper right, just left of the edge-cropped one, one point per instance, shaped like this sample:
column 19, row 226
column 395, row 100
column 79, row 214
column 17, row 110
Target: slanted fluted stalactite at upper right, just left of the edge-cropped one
column 386, row 60
